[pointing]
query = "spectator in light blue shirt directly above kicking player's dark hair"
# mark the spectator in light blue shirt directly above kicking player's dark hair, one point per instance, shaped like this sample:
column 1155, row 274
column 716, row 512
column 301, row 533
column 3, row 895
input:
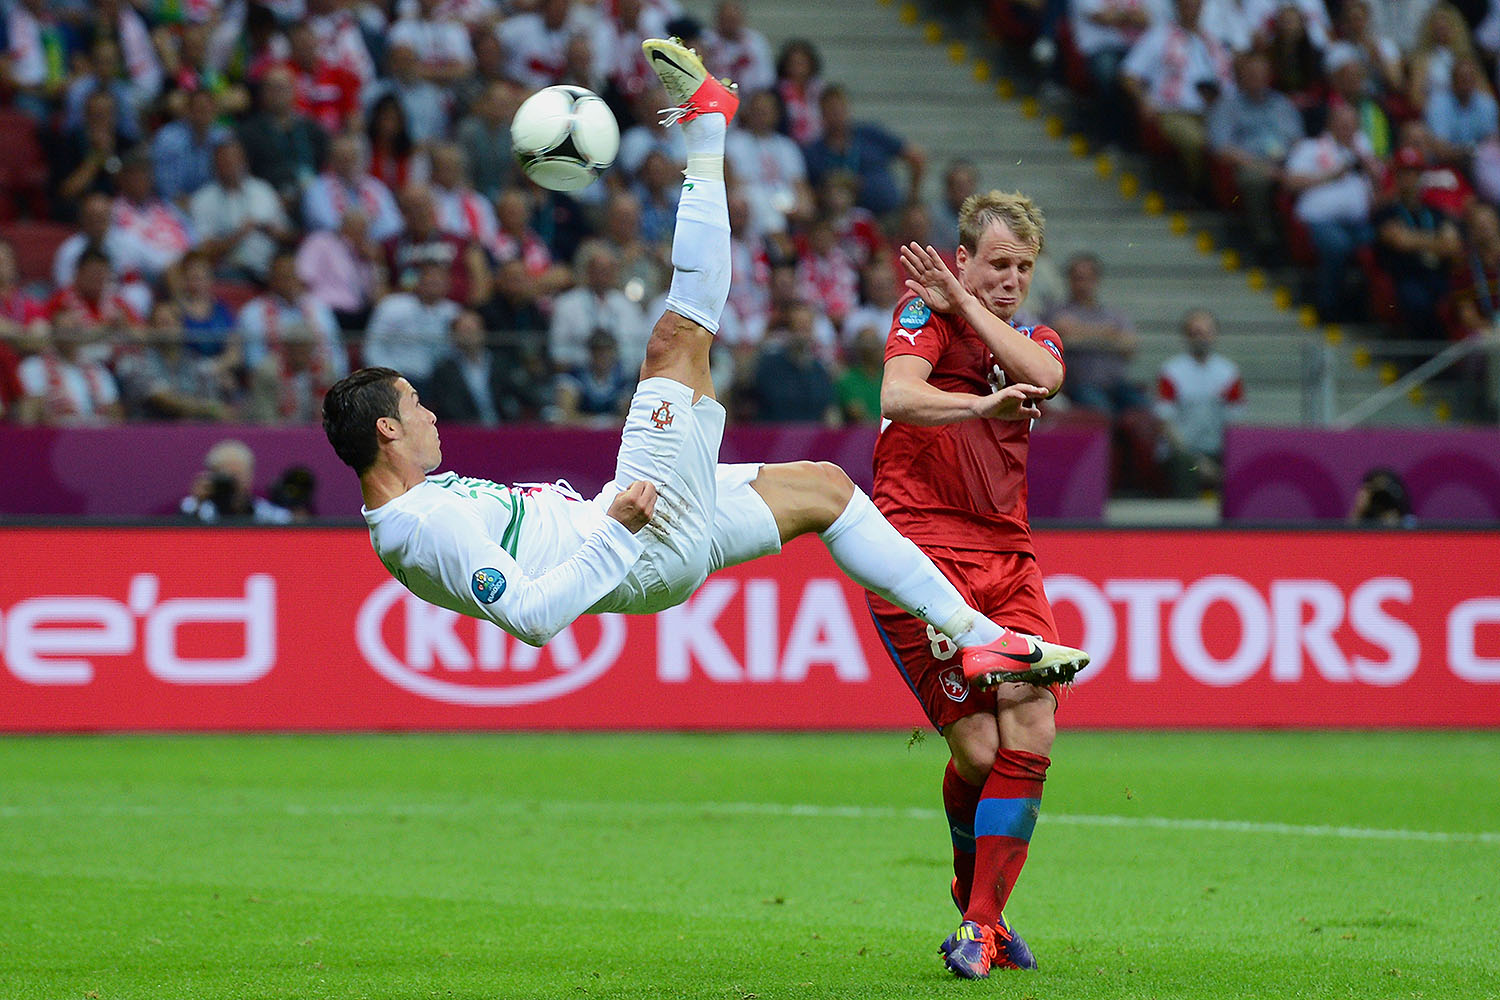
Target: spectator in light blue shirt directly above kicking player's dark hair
column 410, row 331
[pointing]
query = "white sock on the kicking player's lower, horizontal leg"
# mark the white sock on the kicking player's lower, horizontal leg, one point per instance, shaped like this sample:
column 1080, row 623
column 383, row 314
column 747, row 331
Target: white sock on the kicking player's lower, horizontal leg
column 883, row 560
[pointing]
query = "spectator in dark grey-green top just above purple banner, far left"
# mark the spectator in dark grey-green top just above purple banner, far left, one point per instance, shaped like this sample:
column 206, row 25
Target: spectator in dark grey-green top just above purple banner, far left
column 166, row 382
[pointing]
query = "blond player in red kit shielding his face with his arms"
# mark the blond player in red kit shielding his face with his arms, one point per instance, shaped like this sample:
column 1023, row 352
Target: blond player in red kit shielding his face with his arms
column 961, row 389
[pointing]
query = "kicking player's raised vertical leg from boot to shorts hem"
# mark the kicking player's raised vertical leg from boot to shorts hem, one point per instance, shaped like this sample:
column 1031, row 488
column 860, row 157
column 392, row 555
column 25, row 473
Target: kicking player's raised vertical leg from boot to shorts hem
column 682, row 340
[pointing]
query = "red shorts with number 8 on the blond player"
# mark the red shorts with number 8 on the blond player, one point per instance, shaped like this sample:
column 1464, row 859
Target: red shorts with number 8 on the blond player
column 1004, row 585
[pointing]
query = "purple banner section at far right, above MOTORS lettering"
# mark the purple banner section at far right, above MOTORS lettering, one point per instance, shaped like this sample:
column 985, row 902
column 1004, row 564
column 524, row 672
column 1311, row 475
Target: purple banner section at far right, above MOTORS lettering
column 1312, row 475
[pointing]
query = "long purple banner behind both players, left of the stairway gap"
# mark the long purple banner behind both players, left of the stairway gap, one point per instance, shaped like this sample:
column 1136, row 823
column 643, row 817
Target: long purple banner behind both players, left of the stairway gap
column 145, row 470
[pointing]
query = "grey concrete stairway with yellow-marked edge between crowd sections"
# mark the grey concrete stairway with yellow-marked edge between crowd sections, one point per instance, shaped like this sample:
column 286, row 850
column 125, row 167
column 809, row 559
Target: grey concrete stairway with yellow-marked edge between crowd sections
column 932, row 83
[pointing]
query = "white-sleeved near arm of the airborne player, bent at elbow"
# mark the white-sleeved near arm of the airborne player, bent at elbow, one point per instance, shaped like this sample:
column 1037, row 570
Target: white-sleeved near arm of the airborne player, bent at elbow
column 533, row 608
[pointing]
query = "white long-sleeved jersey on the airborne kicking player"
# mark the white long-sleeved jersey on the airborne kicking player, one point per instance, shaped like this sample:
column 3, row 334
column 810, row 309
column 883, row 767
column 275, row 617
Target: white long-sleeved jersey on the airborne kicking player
column 530, row 558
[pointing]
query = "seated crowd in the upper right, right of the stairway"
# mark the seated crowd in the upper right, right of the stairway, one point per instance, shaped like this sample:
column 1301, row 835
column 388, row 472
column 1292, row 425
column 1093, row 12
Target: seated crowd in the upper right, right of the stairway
column 1358, row 140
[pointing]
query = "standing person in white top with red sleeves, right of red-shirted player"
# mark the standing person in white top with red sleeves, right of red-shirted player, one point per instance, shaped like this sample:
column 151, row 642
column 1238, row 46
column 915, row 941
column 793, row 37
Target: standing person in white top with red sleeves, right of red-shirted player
column 1199, row 394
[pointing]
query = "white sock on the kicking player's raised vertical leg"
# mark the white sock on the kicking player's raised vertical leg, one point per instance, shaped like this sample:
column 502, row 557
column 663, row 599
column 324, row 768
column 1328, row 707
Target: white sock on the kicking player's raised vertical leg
column 701, row 247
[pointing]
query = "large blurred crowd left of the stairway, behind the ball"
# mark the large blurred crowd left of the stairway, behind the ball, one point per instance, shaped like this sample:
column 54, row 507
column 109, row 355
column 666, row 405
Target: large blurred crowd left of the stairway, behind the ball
column 214, row 209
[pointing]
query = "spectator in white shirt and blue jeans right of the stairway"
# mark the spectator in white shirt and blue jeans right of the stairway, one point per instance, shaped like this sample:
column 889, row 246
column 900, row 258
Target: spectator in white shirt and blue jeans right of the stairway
column 1331, row 178
